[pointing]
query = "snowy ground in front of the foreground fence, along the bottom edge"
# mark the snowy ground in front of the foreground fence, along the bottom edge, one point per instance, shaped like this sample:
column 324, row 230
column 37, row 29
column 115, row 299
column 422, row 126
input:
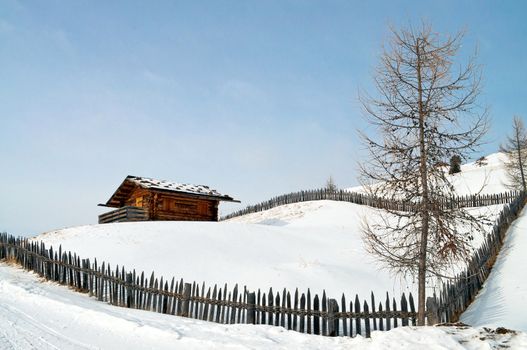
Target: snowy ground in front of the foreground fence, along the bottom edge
column 42, row 315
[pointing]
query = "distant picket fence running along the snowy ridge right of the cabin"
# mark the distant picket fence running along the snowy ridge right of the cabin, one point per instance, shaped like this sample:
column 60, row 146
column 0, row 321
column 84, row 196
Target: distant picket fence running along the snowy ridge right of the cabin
column 372, row 201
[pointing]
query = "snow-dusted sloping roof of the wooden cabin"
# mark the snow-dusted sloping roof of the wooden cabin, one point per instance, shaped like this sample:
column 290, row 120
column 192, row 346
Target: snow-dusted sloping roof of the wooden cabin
column 162, row 185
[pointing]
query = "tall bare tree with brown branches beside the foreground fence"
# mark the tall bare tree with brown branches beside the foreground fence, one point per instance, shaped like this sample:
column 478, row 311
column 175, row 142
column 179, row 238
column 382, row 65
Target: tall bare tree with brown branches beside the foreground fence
column 425, row 112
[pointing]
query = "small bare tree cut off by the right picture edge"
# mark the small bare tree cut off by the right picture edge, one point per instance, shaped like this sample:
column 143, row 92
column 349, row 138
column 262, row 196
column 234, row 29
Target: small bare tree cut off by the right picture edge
column 516, row 150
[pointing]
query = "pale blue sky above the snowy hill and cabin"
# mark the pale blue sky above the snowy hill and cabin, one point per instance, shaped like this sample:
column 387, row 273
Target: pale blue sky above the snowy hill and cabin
column 255, row 98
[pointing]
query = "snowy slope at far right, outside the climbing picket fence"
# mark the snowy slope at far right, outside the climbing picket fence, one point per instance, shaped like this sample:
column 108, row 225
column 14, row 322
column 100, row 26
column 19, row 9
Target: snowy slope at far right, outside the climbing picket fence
column 503, row 299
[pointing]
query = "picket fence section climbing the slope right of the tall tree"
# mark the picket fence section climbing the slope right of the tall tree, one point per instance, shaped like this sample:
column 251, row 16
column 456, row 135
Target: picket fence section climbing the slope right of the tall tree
column 457, row 294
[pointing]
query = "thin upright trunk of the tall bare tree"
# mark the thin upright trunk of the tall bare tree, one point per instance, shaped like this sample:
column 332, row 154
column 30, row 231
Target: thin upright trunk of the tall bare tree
column 424, row 212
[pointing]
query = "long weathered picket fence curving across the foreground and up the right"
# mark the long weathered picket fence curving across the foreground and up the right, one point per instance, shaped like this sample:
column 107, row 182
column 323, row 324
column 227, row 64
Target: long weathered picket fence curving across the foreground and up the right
column 301, row 312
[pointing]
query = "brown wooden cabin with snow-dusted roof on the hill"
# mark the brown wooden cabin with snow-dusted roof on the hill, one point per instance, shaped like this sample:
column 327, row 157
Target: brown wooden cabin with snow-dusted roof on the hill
column 146, row 199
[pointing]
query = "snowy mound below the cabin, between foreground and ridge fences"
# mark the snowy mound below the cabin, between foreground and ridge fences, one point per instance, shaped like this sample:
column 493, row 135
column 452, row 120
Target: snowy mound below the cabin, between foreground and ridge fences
column 313, row 245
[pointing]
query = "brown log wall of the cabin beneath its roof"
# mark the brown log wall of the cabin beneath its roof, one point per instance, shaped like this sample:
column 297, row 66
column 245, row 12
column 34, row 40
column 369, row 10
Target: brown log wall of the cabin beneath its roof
column 172, row 206
